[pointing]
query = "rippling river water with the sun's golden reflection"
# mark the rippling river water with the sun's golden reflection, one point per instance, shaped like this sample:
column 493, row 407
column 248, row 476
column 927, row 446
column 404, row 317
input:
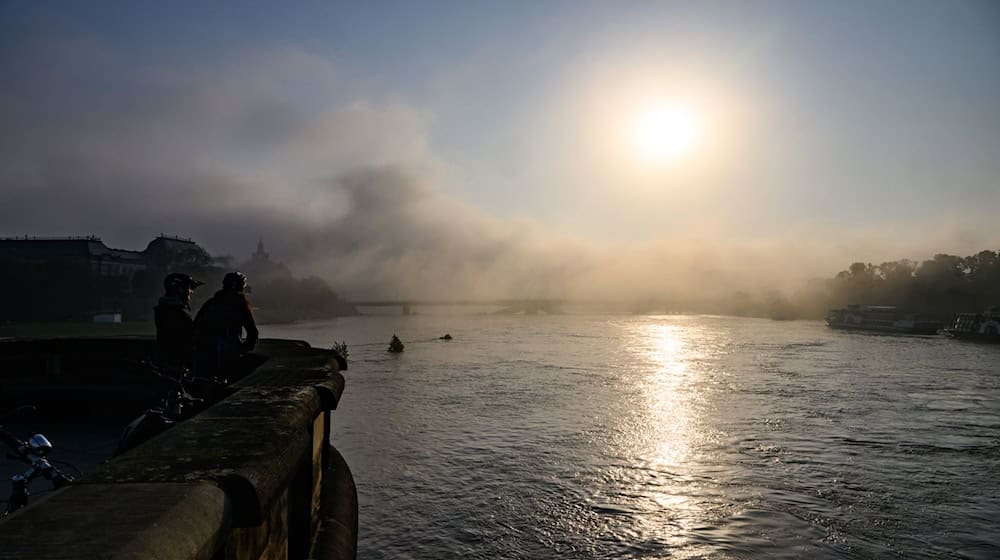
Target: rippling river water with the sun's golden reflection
column 616, row 436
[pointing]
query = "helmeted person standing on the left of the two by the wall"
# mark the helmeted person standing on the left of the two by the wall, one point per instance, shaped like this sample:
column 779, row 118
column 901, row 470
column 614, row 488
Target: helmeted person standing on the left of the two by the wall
column 174, row 326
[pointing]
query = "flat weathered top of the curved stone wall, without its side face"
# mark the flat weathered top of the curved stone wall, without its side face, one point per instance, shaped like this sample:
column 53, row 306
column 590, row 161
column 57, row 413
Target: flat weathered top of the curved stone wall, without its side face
column 171, row 496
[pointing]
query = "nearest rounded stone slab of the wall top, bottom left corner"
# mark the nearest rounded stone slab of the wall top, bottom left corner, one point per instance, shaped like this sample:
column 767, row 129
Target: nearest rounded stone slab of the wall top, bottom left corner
column 161, row 522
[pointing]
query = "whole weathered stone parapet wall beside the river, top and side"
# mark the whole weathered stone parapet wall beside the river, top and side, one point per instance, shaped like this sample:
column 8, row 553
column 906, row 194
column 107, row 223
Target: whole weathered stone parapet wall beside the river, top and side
column 252, row 477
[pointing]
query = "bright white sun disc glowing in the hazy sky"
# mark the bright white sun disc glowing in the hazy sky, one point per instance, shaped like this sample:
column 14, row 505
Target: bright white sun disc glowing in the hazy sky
column 664, row 134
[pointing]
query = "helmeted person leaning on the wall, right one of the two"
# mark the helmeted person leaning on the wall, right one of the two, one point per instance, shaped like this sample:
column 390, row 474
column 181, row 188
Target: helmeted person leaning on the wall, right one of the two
column 218, row 328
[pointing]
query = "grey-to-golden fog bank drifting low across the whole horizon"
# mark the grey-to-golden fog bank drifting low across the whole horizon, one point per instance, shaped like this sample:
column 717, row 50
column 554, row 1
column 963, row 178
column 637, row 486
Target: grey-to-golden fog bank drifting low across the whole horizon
column 277, row 145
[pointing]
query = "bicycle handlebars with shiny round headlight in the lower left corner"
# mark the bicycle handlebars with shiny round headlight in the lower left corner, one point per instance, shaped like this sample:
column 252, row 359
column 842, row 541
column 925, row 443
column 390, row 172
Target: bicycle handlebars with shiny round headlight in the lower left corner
column 35, row 453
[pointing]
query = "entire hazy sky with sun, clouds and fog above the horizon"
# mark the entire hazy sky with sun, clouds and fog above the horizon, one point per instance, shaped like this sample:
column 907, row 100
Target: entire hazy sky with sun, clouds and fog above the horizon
column 497, row 148
